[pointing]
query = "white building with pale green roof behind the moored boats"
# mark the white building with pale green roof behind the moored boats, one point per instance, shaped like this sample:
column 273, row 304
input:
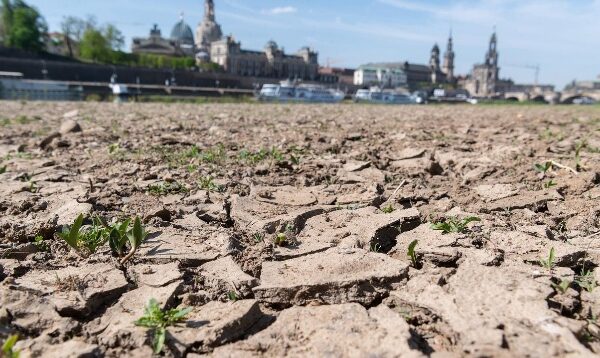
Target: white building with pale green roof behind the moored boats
column 384, row 75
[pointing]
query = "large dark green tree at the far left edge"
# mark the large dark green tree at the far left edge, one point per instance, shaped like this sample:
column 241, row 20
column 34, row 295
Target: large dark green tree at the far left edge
column 24, row 27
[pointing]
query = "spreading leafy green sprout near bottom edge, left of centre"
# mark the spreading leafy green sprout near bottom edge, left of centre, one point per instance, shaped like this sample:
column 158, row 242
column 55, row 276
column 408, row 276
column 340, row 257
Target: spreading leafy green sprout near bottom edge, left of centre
column 158, row 320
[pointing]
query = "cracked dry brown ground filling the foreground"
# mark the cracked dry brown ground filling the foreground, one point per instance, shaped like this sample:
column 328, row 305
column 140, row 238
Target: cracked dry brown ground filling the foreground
column 345, row 189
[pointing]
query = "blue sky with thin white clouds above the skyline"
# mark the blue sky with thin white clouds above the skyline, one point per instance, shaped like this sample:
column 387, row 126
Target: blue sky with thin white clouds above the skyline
column 562, row 36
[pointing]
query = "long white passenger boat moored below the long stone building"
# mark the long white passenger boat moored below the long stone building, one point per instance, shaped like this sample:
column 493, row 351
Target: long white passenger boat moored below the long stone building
column 288, row 91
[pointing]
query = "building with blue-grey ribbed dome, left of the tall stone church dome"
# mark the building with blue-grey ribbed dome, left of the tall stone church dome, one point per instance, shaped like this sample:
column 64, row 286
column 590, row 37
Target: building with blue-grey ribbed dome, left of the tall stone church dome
column 181, row 42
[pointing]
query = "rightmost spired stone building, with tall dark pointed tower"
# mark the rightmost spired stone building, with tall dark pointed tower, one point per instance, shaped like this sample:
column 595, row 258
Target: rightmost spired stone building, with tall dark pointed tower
column 484, row 80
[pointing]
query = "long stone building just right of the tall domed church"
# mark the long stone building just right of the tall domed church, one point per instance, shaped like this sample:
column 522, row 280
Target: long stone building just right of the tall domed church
column 271, row 62
